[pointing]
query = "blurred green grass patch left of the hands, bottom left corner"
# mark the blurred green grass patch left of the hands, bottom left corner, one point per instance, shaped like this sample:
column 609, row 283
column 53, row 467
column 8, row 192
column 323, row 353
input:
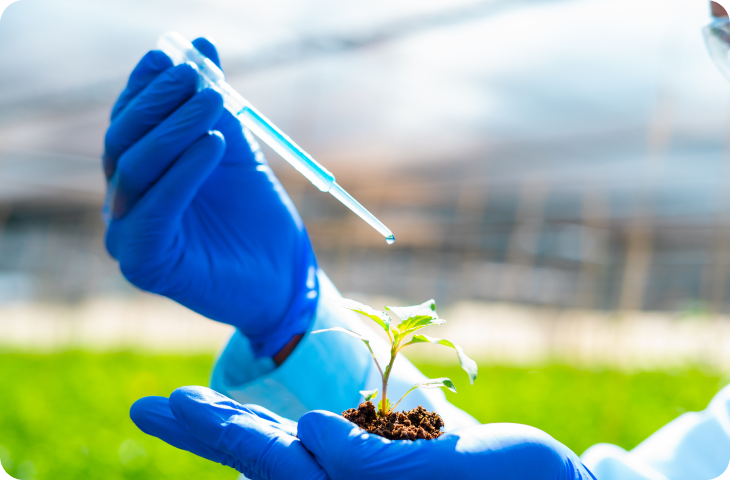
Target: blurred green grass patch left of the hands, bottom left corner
column 66, row 416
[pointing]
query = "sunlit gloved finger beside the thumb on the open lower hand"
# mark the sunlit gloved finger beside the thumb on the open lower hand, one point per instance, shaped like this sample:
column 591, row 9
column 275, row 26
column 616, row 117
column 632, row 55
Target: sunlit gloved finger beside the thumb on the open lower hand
column 257, row 445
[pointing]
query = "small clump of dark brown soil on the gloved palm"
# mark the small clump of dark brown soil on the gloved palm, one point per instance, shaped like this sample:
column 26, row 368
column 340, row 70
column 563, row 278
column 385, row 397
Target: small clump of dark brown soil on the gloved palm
column 419, row 423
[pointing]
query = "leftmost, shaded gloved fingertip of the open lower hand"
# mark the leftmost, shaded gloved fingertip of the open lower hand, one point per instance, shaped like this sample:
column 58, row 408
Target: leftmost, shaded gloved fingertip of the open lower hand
column 152, row 415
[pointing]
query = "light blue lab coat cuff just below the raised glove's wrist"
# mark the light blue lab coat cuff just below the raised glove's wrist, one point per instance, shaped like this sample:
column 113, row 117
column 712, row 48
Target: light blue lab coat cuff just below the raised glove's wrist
column 325, row 371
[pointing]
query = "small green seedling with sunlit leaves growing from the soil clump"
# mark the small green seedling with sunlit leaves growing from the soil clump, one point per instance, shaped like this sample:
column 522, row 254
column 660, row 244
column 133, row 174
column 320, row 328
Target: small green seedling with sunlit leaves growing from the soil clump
column 412, row 319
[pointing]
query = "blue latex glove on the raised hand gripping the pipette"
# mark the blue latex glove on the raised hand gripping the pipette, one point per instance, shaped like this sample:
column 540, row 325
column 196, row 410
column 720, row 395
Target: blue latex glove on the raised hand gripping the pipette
column 196, row 215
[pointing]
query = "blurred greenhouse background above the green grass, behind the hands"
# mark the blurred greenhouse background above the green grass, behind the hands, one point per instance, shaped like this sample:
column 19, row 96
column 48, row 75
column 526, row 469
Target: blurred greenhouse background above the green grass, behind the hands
column 556, row 173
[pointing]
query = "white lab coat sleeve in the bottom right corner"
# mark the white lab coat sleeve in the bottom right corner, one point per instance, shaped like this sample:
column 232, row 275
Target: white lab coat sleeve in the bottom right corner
column 694, row 446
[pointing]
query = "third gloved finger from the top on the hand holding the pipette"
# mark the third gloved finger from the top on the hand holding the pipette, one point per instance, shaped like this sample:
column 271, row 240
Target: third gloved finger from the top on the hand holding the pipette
column 145, row 162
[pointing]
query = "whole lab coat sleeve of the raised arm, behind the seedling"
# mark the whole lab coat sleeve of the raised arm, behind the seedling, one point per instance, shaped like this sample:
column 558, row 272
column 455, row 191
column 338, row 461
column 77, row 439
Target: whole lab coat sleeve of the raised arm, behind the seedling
column 325, row 371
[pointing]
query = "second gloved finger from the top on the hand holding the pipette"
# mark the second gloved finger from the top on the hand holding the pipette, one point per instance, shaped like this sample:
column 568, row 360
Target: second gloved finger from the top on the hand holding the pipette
column 157, row 101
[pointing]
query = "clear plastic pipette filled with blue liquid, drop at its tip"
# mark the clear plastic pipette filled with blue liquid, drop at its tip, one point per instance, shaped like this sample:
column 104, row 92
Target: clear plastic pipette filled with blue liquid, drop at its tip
column 210, row 76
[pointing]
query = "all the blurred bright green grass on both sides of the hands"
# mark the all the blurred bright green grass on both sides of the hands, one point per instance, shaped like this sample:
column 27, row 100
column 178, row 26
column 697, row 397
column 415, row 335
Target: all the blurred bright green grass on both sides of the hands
column 65, row 416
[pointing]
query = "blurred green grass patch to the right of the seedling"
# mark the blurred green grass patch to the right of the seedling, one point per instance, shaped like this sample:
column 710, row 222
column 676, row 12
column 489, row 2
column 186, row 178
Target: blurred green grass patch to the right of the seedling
column 580, row 407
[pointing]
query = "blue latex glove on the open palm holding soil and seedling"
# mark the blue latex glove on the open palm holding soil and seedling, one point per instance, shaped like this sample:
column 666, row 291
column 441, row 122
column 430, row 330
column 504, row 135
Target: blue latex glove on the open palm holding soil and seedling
column 261, row 445
